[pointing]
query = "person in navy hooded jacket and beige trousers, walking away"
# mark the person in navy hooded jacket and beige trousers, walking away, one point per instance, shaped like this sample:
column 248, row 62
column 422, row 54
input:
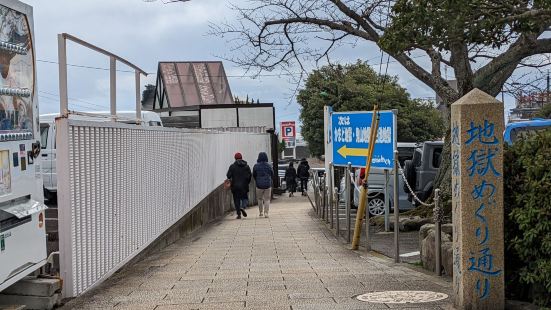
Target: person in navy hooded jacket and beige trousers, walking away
column 263, row 173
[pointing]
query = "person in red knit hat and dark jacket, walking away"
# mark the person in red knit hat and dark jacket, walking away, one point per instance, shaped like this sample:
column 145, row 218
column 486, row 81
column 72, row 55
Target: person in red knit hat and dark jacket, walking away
column 239, row 174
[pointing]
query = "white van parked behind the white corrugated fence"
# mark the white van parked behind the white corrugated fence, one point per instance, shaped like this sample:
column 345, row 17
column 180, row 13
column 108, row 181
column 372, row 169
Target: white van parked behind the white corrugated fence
column 47, row 139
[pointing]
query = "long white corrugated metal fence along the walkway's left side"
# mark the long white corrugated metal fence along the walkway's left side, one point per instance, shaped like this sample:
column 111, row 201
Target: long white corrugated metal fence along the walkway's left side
column 121, row 186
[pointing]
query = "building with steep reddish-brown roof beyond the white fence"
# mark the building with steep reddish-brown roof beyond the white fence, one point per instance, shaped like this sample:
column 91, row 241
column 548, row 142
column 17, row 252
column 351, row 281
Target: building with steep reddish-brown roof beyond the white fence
column 196, row 94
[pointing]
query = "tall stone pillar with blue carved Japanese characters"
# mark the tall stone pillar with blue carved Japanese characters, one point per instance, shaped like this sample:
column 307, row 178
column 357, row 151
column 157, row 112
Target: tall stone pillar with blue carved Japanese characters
column 477, row 201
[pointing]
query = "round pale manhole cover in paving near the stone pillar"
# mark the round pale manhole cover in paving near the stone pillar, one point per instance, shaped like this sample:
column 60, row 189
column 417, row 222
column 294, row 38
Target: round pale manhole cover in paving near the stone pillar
column 402, row 297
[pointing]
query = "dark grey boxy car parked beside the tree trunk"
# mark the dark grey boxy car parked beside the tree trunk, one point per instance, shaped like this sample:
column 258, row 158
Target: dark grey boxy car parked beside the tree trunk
column 421, row 170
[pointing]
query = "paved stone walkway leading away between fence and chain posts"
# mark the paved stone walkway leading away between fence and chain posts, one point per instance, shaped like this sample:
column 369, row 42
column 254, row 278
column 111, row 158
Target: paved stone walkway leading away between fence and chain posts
column 287, row 261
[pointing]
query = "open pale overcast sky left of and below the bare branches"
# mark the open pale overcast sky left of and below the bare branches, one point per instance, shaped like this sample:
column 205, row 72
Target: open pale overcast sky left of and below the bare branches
column 146, row 33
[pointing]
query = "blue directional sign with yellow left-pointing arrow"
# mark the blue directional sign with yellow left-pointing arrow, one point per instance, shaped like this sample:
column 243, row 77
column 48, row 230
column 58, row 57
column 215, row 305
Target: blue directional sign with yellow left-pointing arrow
column 350, row 133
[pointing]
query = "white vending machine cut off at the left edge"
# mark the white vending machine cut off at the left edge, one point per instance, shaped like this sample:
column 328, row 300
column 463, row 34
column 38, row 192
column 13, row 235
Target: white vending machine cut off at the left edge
column 22, row 218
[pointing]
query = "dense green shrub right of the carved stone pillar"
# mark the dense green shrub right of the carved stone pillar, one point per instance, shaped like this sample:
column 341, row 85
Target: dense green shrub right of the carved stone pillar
column 528, row 219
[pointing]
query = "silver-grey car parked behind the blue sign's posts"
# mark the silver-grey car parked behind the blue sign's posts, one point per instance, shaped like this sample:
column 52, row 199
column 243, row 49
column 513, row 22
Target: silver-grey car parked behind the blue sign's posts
column 376, row 182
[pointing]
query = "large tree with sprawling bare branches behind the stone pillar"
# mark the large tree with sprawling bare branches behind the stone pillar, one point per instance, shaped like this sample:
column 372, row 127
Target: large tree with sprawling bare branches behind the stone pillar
column 484, row 43
